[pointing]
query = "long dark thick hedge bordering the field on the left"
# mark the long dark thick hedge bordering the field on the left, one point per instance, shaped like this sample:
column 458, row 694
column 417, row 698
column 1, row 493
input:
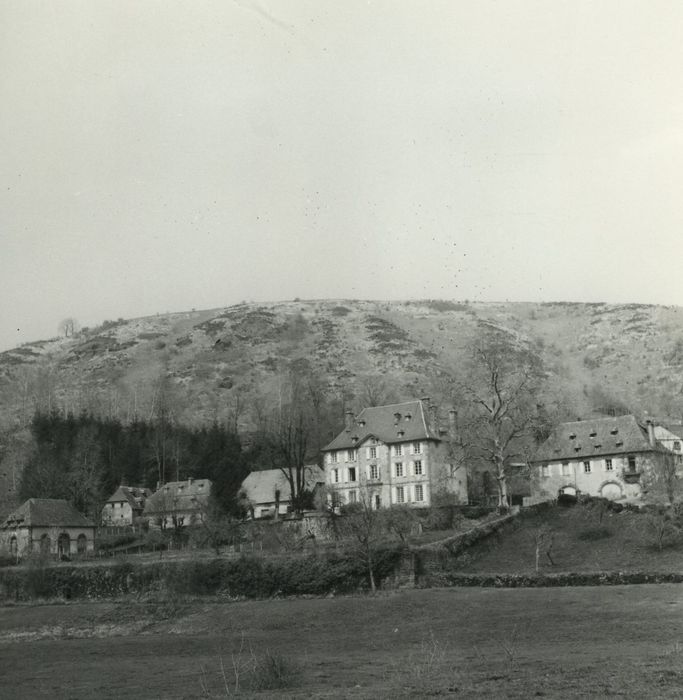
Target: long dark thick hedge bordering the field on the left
column 243, row 577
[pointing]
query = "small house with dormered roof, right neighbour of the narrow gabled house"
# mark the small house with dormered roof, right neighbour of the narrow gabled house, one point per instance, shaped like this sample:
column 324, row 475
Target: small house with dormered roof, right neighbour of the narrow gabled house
column 178, row 503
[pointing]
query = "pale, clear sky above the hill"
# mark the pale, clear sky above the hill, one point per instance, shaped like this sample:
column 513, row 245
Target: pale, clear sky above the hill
column 161, row 155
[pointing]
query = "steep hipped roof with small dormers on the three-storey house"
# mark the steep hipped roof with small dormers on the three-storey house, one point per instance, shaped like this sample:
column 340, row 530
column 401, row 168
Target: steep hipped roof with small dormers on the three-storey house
column 398, row 422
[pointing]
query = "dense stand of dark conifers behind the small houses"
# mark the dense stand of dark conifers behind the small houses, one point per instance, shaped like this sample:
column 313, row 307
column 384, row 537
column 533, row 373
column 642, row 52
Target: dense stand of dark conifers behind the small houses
column 84, row 458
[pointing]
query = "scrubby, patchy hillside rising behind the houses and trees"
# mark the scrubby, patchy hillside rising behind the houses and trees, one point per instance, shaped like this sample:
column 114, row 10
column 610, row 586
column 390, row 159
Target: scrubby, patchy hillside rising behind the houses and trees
column 221, row 363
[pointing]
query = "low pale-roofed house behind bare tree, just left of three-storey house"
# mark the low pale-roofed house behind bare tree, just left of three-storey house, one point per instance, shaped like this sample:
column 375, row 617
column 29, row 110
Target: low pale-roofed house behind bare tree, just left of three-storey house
column 268, row 491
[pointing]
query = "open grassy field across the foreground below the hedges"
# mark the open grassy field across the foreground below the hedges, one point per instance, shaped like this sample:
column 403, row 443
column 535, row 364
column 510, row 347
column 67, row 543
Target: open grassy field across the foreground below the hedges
column 473, row 643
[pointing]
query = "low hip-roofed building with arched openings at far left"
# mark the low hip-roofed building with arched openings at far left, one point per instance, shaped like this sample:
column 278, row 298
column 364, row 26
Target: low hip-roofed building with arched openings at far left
column 49, row 525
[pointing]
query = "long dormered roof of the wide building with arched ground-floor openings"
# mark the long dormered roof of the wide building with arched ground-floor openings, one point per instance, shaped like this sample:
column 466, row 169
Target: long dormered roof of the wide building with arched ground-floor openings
column 592, row 438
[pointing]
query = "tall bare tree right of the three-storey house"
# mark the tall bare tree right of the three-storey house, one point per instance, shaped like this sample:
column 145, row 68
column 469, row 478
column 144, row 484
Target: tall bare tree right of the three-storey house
column 501, row 416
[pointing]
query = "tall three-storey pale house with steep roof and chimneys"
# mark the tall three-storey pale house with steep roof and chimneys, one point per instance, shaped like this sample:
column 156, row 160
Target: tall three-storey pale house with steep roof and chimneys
column 395, row 454
